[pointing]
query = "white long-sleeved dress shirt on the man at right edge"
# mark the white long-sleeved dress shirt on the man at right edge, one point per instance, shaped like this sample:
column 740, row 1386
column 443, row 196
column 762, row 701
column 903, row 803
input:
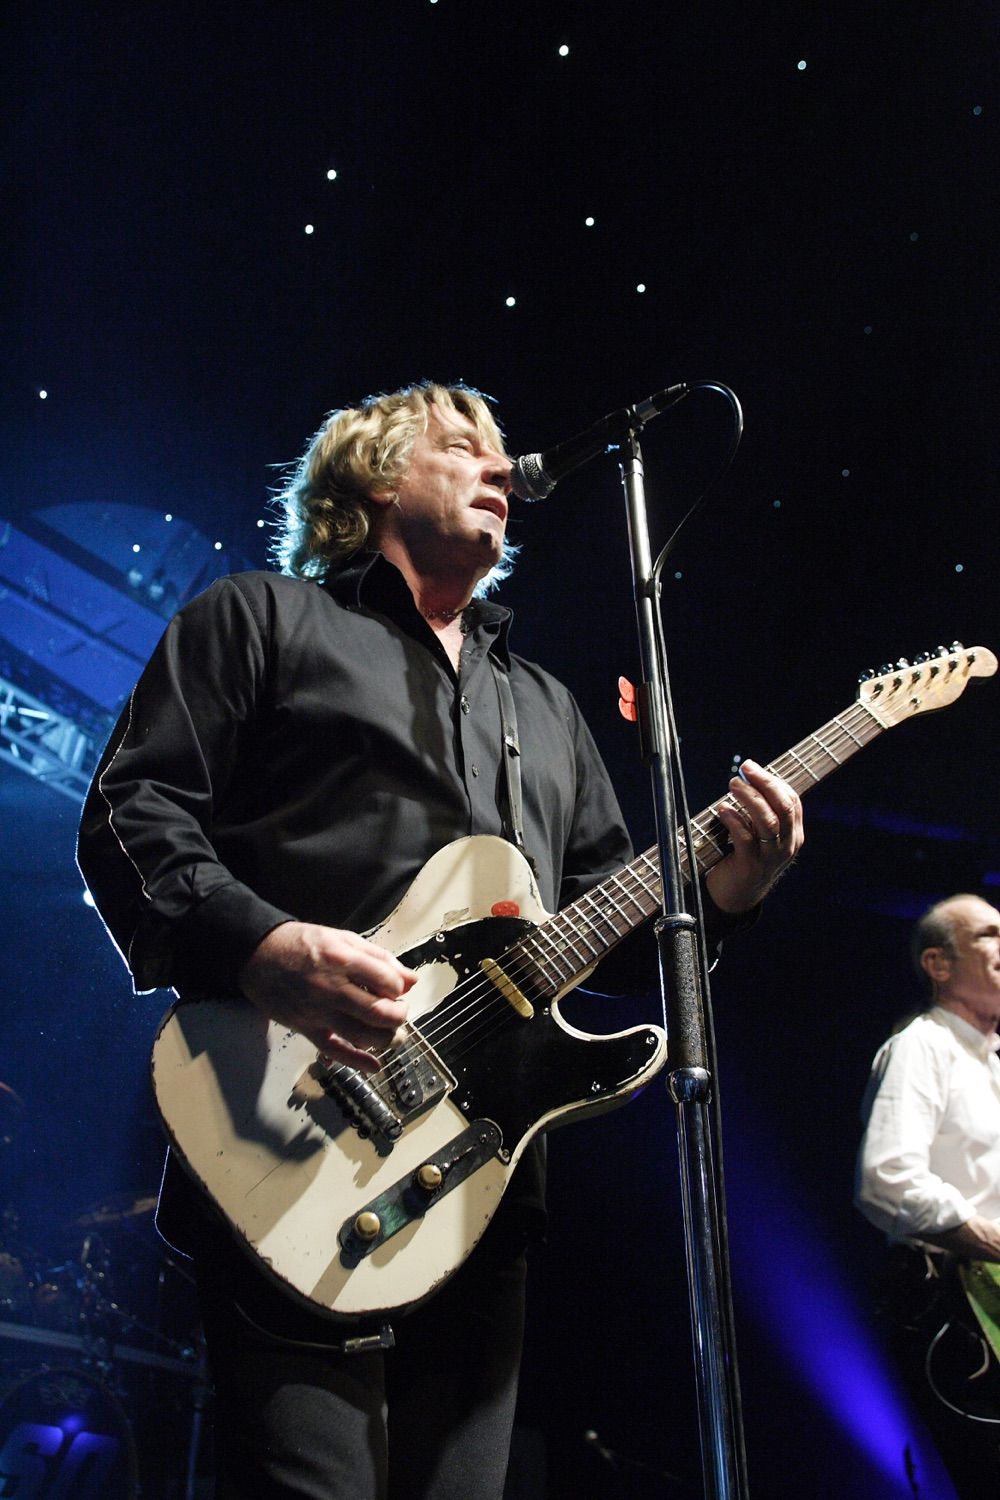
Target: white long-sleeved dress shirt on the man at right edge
column 930, row 1159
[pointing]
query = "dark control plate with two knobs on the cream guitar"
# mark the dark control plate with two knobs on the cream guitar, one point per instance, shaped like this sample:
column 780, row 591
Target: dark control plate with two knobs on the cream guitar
column 413, row 1196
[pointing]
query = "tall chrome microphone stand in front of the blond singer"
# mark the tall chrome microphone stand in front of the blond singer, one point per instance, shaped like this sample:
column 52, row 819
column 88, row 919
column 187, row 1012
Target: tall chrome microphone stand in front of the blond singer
column 689, row 1078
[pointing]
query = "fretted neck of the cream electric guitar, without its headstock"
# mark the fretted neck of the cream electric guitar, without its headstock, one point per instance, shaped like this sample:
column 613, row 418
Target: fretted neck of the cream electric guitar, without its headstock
column 564, row 949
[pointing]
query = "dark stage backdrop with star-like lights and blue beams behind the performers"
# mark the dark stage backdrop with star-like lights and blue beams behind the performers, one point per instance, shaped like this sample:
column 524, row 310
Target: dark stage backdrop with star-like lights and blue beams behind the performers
column 807, row 196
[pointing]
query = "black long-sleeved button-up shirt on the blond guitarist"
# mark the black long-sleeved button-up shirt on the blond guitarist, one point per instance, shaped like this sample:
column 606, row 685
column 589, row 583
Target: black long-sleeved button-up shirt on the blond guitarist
column 299, row 751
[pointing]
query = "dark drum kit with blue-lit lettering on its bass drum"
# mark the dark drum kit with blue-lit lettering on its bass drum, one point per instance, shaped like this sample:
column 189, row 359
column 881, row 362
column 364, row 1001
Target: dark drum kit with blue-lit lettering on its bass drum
column 103, row 1376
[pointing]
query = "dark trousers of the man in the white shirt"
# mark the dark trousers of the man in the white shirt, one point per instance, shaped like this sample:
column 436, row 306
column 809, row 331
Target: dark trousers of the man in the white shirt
column 950, row 1375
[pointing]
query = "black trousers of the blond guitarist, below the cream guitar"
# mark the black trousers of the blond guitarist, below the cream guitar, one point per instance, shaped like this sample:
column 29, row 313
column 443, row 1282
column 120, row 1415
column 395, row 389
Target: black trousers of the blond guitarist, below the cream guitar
column 428, row 1420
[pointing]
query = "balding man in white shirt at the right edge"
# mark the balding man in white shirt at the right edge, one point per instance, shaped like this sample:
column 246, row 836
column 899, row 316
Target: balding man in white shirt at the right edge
column 929, row 1175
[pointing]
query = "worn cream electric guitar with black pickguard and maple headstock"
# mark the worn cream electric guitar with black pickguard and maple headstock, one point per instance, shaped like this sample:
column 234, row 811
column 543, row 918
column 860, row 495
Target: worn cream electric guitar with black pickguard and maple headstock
column 361, row 1195
